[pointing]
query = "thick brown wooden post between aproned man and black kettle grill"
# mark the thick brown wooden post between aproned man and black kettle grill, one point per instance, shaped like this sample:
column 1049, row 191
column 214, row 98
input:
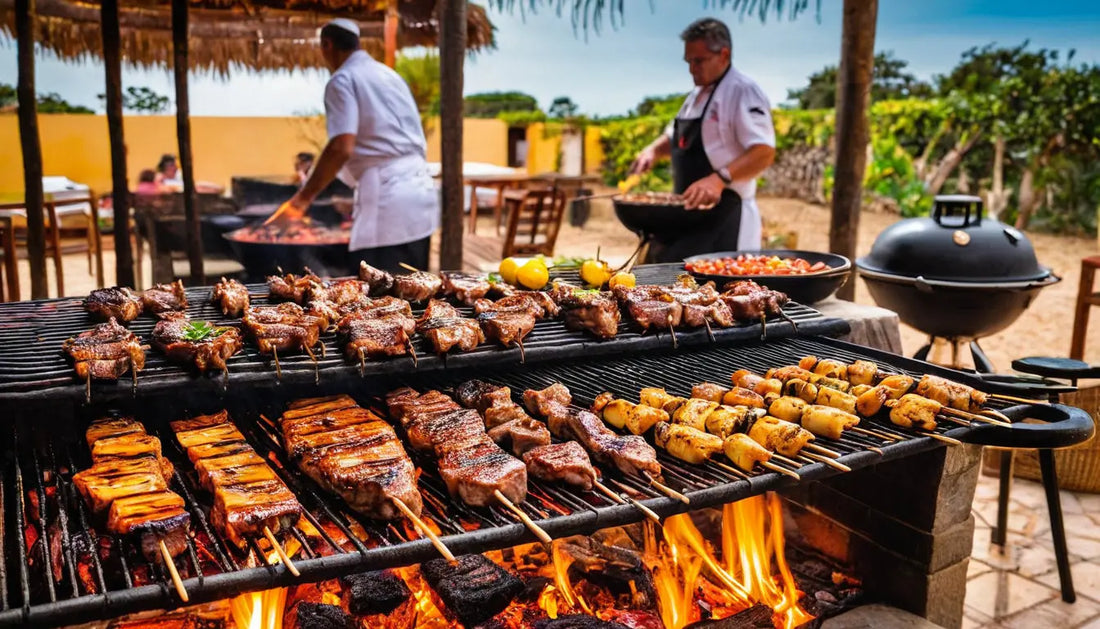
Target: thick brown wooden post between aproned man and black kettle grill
column 853, row 128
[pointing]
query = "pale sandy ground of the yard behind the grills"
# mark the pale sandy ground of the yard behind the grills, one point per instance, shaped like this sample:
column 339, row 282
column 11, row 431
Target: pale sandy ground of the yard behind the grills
column 1044, row 329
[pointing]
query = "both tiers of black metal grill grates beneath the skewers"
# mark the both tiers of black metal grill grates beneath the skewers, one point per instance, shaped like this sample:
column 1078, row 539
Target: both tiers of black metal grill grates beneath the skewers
column 56, row 569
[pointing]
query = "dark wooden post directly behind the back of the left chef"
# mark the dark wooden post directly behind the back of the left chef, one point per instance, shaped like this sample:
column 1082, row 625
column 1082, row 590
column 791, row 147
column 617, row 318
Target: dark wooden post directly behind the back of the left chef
column 453, row 54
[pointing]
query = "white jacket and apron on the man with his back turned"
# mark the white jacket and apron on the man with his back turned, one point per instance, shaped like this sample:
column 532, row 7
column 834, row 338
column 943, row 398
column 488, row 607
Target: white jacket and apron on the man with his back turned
column 395, row 198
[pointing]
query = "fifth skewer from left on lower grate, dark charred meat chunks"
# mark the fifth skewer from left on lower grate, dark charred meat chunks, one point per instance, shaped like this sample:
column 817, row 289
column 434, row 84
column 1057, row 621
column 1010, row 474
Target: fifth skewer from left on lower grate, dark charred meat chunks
column 566, row 461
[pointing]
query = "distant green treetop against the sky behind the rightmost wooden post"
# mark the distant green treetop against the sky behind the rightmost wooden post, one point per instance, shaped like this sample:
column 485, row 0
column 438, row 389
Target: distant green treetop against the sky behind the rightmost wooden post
column 890, row 82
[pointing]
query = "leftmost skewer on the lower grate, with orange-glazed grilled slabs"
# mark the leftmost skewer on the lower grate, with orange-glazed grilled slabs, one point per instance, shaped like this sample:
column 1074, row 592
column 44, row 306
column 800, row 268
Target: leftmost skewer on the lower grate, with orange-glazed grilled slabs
column 128, row 483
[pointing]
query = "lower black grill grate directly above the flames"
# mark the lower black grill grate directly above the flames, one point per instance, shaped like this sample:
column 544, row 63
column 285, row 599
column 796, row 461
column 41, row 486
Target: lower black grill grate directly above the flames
column 102, row 577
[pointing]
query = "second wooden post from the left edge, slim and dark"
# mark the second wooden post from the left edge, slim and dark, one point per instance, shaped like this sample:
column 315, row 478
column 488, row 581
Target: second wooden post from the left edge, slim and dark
column 120, row 187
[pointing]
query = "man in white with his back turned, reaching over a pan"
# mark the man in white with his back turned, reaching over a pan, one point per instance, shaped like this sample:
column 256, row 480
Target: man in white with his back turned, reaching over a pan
column 377, row 141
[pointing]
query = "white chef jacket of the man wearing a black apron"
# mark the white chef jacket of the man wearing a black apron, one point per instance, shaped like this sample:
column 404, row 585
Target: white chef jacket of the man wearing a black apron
column 739, row 118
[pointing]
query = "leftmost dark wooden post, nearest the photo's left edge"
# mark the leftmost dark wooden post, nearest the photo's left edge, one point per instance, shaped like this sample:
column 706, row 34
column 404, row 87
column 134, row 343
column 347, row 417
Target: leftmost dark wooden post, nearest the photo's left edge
column 26, row 16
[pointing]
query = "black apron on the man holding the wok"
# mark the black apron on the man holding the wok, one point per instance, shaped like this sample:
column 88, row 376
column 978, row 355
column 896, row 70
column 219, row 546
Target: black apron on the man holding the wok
column 690, row 164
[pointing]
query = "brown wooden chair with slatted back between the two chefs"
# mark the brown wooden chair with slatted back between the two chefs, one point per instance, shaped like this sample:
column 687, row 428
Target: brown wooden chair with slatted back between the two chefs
column 534, row 222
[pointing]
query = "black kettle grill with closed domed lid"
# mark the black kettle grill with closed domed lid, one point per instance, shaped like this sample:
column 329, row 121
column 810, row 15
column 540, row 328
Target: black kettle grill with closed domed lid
column 955, row 274
